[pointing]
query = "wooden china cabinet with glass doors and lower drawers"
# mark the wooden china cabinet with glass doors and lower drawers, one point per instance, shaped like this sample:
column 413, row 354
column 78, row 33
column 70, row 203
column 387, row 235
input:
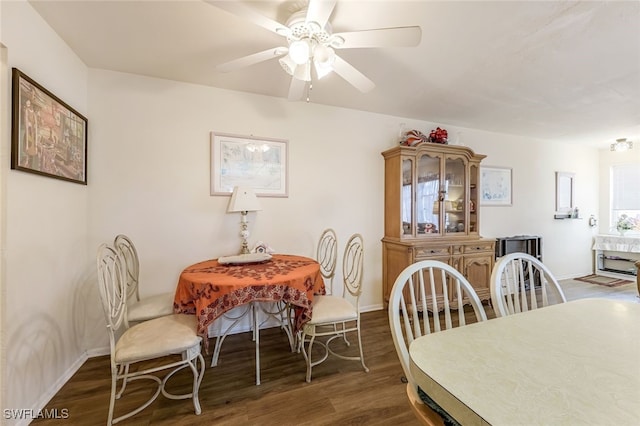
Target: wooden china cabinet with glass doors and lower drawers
column 431, row 212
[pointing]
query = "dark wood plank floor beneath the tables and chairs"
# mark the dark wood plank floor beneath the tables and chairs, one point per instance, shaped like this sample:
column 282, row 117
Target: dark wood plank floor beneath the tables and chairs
column 341, row 393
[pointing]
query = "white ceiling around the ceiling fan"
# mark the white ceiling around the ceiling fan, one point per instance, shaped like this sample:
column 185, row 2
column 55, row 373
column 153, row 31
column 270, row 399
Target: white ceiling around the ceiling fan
column 564, row 71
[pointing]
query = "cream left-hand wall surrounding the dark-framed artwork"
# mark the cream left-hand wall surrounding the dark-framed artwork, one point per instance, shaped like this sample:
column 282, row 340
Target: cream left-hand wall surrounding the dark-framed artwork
column 44, row 236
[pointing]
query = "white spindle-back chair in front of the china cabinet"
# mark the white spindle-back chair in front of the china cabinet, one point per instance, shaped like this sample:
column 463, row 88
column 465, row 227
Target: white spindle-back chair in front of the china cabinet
column 427, row 297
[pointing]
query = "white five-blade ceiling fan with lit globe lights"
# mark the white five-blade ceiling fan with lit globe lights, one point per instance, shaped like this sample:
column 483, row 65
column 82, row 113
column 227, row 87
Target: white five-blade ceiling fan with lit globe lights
column 310, row 44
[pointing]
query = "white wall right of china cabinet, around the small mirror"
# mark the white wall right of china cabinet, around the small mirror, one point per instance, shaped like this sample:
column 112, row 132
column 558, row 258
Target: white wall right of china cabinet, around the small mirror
column 566, row 244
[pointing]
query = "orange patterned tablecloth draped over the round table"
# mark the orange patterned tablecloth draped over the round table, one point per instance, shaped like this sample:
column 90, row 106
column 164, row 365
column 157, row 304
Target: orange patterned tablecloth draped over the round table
column 208, row 289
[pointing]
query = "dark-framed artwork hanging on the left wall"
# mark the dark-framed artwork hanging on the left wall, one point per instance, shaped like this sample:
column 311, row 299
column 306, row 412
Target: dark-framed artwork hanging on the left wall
column 48, row 137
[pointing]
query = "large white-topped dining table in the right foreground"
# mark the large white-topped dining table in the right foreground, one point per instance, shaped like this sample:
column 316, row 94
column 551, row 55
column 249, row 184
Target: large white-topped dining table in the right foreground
column 575, row 363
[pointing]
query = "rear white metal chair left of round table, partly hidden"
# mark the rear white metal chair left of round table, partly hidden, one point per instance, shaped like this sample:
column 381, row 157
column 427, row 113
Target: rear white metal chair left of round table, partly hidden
column 150, row 307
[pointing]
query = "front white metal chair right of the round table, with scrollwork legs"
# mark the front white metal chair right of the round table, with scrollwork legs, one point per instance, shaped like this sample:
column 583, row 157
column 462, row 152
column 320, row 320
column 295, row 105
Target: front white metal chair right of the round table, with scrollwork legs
column 335, row 316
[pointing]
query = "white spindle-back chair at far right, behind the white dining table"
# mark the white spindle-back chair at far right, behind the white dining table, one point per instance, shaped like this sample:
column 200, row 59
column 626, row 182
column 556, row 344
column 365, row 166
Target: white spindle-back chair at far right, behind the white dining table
column 521, row 282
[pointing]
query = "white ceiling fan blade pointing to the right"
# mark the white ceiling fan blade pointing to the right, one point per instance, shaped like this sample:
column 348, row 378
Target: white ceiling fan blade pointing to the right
column 381, row 37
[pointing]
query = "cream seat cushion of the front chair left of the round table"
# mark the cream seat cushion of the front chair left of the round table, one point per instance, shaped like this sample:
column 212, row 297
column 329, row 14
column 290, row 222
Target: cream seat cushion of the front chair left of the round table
column 158, row 337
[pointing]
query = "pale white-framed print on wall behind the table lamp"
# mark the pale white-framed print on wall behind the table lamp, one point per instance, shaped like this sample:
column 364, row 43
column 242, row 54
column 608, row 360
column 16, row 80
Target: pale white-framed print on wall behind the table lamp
column 259, row 163
